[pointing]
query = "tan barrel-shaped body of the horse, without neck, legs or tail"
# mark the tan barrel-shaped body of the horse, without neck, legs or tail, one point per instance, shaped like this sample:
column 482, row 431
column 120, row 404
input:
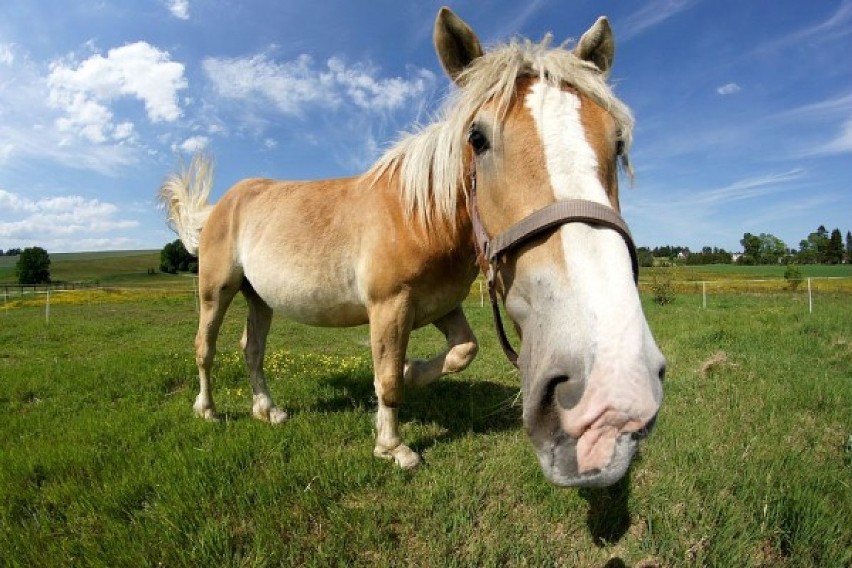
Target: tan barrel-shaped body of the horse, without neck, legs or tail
column 322, row 252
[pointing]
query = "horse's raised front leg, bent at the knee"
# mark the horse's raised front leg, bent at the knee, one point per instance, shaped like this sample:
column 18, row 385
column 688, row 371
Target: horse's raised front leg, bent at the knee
column 461, row 349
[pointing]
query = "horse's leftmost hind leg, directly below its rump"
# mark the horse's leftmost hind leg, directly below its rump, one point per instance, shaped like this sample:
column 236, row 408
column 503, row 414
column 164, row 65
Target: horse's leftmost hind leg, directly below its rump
column 215, row 297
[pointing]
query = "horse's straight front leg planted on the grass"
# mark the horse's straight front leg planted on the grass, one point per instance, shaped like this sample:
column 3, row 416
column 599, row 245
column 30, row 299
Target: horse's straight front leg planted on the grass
column 390, row 326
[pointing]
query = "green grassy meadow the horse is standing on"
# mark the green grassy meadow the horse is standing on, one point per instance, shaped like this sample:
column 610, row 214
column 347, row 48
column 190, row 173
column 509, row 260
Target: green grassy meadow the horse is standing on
column 103, row 464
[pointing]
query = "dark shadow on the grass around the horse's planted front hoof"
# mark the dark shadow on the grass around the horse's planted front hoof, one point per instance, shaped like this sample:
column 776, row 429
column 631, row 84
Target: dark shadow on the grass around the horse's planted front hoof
column 459, row 406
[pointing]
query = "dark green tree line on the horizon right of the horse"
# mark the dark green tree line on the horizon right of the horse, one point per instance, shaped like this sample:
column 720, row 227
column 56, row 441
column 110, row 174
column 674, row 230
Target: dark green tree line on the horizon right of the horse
column 820, row 247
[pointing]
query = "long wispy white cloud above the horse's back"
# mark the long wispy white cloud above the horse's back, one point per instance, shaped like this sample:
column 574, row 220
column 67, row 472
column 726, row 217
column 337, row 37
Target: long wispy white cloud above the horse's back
column 296, row 85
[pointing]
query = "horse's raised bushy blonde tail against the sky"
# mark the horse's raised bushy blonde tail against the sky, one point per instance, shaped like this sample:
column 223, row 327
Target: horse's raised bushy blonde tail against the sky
column 184, row 196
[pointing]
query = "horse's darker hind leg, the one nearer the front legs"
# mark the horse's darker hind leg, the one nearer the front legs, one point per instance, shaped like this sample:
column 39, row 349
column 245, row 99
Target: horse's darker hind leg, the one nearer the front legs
column 254, row 348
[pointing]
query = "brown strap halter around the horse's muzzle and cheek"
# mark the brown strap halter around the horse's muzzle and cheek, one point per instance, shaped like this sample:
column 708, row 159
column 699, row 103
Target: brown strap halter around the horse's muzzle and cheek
column 490, row 251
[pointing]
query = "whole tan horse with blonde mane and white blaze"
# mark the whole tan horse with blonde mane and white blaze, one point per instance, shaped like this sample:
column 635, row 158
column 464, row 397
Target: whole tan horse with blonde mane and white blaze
column 528, row 126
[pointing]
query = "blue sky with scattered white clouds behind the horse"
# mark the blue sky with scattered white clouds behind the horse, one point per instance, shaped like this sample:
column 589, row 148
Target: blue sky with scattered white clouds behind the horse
column 744, row 109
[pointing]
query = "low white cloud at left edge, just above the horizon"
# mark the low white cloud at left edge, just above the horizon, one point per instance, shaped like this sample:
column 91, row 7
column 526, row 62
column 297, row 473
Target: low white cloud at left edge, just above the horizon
column 51, row 219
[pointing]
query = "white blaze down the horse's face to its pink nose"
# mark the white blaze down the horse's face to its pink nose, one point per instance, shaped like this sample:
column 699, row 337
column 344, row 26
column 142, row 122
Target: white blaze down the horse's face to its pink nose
column 598, row 316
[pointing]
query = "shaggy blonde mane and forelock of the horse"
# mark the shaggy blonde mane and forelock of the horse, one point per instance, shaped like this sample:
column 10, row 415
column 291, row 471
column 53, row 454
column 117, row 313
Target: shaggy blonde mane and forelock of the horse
column 430, row 162
